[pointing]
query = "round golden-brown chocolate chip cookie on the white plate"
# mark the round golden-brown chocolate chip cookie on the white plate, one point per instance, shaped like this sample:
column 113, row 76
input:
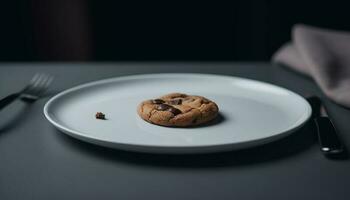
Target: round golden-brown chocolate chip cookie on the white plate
column 178, row 110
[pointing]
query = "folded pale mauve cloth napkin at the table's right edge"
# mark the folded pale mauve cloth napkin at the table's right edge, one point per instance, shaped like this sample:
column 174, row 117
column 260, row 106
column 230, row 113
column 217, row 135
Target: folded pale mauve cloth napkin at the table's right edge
column 322, row 54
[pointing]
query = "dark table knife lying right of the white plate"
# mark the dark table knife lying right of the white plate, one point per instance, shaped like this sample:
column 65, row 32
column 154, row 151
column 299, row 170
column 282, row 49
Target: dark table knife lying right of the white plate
column 330, row 143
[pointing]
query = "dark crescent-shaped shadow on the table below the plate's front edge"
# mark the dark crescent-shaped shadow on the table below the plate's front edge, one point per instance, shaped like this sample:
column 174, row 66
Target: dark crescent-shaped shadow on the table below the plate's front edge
column 289, row 146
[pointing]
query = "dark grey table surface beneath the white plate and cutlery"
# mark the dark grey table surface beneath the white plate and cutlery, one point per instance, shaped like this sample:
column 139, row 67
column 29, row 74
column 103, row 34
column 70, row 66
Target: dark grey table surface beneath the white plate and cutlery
column 39, row 162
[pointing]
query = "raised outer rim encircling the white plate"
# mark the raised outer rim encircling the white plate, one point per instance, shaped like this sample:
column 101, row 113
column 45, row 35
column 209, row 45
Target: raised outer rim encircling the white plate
column 149, row 147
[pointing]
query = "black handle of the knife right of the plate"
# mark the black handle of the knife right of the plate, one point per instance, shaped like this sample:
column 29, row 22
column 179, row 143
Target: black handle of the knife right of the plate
column 328, row 137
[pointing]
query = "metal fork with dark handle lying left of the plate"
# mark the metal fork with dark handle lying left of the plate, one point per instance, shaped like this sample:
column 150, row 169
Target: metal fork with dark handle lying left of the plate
column 31, row 92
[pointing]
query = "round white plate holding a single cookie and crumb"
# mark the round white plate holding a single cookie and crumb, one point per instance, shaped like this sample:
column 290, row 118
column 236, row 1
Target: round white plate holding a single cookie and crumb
column 251, row 113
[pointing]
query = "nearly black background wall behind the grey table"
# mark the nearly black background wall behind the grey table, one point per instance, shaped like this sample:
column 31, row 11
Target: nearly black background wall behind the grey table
column 78, row 30
